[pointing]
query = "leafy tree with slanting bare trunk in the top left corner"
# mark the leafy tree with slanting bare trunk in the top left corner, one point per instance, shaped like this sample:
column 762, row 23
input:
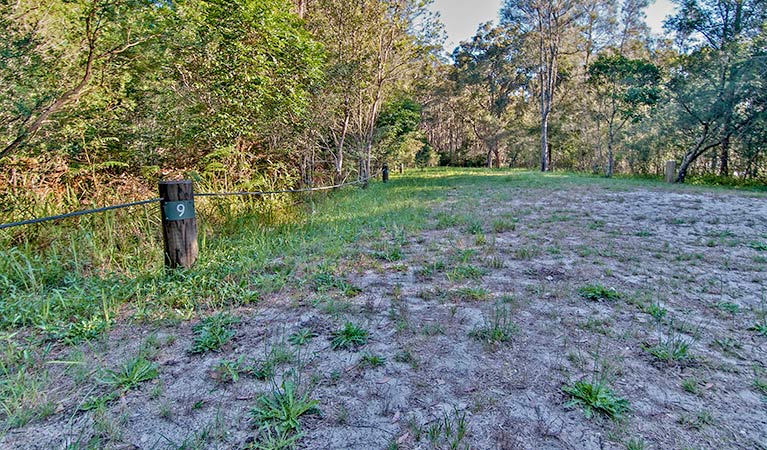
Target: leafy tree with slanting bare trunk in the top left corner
column 53, row 50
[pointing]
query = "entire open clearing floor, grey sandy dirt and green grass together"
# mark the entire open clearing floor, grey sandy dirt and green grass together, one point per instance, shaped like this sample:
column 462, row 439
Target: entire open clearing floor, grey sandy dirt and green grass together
column 448, row 309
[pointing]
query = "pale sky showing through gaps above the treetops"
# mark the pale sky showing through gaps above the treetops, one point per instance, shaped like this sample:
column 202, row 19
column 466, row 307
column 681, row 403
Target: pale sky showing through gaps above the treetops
column 461, row 17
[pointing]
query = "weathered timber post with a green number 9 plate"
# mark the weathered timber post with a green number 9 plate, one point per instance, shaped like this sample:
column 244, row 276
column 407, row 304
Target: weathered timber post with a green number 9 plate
column 179, row 223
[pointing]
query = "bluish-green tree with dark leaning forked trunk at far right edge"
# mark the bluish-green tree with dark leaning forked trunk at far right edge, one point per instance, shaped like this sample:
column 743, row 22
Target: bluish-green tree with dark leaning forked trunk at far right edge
column 717, row 82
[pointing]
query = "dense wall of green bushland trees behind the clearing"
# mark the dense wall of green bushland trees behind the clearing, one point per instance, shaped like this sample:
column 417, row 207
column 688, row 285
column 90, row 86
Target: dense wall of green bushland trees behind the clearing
column 100, row 99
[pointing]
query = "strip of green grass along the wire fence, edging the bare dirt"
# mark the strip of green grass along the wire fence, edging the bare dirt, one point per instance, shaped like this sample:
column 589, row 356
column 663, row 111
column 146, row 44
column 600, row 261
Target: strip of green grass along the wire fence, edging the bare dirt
column 70, row 278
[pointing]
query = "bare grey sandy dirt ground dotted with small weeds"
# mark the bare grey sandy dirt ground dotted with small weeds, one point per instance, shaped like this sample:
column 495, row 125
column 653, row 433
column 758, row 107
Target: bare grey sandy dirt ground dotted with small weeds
column 508, row 246
